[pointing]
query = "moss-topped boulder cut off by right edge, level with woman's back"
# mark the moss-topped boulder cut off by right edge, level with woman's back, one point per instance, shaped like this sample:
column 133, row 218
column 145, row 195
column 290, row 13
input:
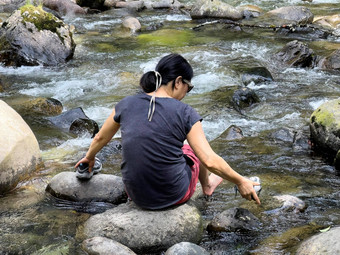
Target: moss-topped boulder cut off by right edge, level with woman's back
column 325, row 128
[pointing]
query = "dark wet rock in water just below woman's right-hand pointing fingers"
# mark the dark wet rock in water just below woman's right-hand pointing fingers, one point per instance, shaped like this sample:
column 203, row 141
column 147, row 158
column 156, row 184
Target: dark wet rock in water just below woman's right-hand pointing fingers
column 234, row 219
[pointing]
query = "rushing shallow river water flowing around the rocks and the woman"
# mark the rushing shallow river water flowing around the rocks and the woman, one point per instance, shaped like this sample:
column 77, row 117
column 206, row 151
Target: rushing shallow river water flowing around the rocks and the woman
column 107, row 64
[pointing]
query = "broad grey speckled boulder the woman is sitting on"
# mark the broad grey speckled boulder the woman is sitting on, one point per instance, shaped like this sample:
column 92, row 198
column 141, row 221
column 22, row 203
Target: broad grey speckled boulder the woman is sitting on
column 146, row 231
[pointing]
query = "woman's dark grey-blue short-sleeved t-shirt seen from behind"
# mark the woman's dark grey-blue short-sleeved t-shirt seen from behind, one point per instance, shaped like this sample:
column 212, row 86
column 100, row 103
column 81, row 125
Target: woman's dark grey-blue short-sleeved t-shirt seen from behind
column 155, row 173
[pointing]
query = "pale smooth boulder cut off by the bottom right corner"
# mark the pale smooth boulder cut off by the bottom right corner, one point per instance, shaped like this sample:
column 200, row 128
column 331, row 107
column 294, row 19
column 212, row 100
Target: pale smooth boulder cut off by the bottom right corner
column 326, row 243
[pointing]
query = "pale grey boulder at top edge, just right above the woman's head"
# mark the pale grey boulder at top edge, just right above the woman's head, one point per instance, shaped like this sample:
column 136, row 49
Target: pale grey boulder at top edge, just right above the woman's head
column 215, row 9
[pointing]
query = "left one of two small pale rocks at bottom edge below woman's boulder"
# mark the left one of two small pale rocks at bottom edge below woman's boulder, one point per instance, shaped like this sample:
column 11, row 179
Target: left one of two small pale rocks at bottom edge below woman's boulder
column 103, row 245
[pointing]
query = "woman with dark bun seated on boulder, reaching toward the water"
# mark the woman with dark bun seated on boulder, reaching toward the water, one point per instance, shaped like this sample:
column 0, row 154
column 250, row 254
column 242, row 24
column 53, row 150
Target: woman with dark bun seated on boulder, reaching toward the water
column 158, row 170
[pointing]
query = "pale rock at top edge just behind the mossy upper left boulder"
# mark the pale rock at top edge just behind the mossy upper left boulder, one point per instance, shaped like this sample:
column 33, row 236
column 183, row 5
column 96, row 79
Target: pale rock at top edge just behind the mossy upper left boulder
column 64, row 7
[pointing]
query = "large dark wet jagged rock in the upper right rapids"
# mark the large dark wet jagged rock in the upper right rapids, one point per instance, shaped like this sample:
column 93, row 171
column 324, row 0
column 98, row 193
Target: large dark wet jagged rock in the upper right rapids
column 297, row 54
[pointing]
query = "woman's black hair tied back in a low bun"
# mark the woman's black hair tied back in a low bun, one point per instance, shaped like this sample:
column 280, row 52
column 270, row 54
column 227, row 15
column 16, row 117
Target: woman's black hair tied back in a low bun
column 169, row 67
